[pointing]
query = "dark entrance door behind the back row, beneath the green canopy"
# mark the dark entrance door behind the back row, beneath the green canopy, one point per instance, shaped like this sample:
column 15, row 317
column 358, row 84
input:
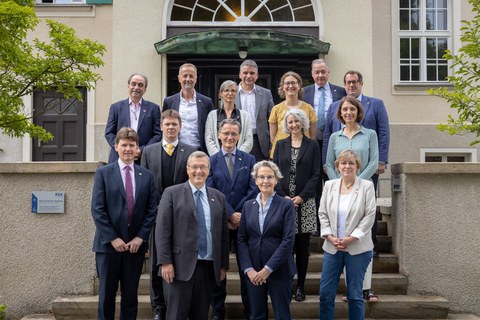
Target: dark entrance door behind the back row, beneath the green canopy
column 212, row 71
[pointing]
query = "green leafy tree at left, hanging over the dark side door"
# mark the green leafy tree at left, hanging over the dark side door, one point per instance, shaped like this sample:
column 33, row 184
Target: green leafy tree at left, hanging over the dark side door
column 62, row 64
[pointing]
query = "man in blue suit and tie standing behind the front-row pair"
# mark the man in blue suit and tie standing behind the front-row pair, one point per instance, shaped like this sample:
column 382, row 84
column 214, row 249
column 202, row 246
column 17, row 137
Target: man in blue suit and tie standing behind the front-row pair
column 231, row 174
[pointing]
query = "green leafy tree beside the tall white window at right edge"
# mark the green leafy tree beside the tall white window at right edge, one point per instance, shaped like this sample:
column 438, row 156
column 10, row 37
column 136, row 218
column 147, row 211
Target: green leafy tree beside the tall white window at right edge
column 465, row 95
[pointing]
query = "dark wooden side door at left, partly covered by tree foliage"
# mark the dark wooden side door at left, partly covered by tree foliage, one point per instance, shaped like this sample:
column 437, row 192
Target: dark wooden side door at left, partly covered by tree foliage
column 66, row 120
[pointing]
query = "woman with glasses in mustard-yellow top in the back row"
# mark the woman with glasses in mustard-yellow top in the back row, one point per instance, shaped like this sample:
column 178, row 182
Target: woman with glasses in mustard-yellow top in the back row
column 291, row 90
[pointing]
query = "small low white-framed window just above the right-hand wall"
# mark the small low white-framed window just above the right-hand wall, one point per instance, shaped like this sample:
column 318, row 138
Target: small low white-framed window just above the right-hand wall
column 448, row 155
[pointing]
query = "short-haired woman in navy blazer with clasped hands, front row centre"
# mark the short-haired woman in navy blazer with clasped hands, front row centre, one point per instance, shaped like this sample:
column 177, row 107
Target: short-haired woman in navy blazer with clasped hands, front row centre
column 265, row 242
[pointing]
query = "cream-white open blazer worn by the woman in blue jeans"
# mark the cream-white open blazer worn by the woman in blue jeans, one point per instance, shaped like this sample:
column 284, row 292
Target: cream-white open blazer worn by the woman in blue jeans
column 360, row 216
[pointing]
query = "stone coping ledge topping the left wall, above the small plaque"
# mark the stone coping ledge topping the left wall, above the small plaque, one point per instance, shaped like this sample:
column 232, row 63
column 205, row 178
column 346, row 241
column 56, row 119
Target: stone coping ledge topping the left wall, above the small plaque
column 51, row 167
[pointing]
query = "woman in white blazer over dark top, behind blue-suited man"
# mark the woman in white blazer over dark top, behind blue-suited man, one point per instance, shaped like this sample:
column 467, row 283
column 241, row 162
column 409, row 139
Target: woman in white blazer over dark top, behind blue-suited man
column 228, row 92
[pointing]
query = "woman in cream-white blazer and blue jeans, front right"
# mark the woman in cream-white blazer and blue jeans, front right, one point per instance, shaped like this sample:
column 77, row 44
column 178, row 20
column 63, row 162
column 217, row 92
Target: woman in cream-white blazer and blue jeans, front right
column 346, row 213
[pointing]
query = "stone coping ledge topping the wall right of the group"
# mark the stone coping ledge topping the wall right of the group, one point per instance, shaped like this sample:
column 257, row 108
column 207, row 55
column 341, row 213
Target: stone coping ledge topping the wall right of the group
column 434, row 167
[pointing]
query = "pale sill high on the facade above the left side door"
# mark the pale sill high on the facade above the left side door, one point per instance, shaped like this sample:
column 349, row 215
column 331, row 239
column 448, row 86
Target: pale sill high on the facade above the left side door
column 65, row 10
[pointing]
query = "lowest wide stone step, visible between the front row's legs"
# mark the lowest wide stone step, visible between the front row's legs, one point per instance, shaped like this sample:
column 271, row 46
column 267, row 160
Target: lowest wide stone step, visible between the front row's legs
column 388, row 307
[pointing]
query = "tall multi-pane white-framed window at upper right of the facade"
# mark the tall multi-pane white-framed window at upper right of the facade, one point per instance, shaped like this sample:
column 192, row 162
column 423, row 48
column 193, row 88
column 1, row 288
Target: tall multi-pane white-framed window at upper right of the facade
column 424, row 31
